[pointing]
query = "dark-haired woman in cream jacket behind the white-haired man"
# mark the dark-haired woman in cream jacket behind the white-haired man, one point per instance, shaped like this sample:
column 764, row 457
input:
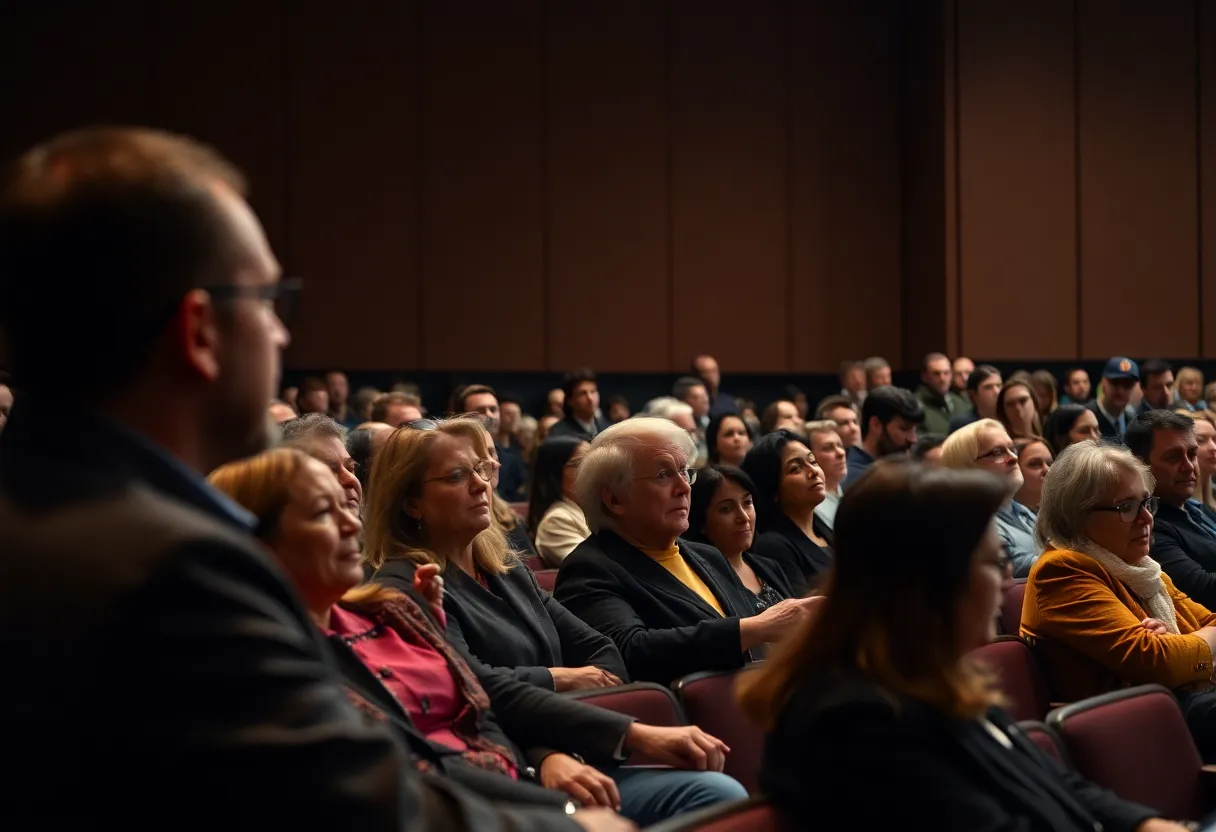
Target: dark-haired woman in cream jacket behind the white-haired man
column 554, row 518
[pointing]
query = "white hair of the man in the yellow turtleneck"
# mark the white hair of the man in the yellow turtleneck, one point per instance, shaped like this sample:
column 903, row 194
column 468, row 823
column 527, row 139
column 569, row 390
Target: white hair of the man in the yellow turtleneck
column 610, row 463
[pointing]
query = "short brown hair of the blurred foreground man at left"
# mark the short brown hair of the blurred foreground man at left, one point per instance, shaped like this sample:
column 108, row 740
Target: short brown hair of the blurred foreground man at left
column 104, row 231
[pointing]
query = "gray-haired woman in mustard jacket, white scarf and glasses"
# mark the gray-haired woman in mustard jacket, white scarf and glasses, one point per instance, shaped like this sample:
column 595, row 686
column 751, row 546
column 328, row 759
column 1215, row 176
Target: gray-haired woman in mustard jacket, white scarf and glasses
column 1099, row 610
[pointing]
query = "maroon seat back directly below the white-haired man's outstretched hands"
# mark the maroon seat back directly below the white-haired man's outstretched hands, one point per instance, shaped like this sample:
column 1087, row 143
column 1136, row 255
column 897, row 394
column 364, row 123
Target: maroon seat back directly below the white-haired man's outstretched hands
column 708, row 701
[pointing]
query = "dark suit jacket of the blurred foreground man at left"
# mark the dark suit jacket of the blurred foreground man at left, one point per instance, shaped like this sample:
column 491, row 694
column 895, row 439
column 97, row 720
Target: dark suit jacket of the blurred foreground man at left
column 154, row 627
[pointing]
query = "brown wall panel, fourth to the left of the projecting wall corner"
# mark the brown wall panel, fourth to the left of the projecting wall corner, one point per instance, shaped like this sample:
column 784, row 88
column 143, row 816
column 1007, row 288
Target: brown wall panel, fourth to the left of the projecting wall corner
column 483, row 185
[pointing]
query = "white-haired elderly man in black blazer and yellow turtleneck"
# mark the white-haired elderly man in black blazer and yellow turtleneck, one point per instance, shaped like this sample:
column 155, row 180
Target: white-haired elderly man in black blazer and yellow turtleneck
column 672, row 608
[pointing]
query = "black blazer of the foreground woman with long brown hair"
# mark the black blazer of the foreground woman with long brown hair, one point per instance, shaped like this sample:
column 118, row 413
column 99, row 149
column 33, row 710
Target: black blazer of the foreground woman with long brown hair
column 838, row 740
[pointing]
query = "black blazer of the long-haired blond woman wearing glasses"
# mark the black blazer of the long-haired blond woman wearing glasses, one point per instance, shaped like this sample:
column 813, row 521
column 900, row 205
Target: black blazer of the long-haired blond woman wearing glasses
column 514, row 626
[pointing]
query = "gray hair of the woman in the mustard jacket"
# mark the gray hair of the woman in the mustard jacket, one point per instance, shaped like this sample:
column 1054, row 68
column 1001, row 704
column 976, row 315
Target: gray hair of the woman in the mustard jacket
column 1079, row 479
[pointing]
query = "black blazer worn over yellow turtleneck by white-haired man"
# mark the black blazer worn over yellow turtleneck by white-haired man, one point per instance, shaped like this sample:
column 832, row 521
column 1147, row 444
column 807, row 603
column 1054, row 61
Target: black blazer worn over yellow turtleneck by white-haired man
column 663, row 629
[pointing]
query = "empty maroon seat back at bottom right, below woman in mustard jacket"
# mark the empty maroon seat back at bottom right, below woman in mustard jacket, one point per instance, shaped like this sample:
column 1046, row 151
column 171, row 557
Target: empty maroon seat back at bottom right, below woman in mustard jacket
column 1136, row 744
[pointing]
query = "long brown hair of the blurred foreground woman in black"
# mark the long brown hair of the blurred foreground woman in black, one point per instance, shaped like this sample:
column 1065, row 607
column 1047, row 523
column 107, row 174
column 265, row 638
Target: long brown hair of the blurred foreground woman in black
column 890, row 614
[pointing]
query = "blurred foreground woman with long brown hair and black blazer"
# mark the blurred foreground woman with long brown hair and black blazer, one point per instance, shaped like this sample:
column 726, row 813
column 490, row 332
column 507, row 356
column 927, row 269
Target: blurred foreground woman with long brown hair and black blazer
column 877, row 692
